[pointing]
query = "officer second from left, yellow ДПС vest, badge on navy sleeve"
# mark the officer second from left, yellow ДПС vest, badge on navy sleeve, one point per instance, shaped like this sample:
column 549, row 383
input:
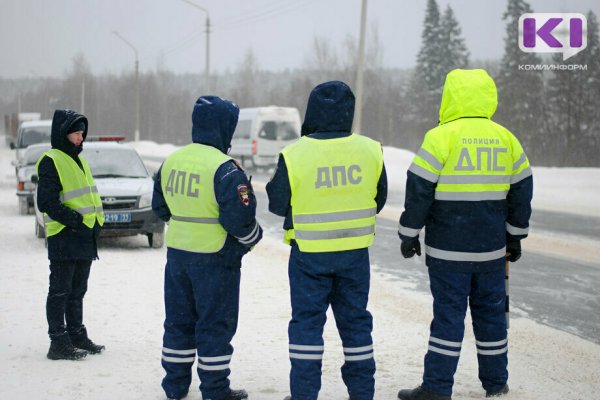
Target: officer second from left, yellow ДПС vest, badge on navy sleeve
column 211, row 208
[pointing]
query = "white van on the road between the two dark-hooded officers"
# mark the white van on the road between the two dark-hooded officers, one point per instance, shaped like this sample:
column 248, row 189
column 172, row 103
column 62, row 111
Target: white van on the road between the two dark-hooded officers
column 262, row 132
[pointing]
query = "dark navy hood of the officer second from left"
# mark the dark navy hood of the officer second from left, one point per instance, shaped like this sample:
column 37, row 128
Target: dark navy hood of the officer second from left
column 213, row 122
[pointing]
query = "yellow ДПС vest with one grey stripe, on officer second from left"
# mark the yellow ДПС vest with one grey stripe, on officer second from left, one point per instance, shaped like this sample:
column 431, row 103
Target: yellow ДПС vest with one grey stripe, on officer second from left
column 187, row 180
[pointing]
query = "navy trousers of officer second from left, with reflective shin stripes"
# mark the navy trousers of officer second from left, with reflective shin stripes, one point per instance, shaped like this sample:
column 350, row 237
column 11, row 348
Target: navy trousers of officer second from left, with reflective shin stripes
column 201, row 306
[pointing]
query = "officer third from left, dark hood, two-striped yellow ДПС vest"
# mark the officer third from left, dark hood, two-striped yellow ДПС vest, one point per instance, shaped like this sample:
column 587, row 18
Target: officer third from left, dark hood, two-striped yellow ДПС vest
column 329, row 186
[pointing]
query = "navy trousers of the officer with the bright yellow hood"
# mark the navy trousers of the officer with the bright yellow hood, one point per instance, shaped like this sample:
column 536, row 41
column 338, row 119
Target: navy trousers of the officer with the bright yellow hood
column 485, row 293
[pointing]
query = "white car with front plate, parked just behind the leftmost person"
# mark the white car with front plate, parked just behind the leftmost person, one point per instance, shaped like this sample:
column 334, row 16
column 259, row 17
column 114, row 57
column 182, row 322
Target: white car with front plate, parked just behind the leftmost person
column 125, row 187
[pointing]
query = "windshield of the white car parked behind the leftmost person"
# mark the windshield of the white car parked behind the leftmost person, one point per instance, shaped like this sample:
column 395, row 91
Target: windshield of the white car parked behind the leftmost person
column 115, row 163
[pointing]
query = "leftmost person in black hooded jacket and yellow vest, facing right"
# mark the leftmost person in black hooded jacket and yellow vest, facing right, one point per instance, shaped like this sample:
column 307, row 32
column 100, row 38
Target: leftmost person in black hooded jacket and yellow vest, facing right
column 73, row 216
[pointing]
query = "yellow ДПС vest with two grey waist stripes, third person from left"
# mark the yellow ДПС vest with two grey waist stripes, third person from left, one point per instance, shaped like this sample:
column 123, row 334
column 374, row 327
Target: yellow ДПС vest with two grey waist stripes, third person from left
column 333, row 186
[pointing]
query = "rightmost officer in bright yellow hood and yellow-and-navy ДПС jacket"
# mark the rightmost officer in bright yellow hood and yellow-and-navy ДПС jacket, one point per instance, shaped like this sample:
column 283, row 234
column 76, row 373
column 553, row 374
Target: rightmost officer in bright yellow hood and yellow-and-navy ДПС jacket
column 470, row 186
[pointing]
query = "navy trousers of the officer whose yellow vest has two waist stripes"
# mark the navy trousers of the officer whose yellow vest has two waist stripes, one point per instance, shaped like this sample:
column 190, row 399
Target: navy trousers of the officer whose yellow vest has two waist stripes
column 317, row 280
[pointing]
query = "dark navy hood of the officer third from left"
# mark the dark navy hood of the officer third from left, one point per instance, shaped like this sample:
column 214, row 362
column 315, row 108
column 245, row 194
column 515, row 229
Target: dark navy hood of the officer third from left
column 330, row 108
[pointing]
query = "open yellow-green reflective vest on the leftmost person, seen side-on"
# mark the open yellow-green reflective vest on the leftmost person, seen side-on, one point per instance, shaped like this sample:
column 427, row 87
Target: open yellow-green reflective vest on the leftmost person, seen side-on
column 79, row 191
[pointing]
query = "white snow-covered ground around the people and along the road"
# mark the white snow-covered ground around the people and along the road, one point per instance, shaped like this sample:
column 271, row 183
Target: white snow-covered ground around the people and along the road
column 124, row 311
